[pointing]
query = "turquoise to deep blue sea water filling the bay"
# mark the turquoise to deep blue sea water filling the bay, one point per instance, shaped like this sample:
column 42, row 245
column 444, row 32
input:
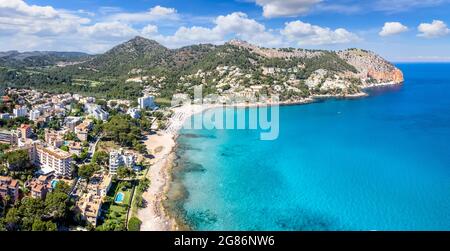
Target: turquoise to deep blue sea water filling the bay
column 376, row 163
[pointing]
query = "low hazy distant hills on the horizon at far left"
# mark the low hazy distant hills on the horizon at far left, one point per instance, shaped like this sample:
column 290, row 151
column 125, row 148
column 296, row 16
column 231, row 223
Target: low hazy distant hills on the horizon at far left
column 39, row 58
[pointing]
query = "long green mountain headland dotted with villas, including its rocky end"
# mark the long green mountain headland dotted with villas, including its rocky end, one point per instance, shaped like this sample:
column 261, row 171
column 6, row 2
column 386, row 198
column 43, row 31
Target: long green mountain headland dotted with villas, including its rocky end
column 237, row 67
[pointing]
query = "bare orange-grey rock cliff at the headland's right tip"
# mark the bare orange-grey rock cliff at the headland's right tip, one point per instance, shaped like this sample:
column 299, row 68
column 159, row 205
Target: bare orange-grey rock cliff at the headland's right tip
column 370, row 65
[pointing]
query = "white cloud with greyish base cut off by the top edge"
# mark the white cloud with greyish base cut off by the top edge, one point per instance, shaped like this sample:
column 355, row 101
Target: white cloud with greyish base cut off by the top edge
column 285, row 8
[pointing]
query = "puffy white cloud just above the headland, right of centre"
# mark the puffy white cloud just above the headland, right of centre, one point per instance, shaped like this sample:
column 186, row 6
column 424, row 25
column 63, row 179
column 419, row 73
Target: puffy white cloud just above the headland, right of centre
column 308, row 34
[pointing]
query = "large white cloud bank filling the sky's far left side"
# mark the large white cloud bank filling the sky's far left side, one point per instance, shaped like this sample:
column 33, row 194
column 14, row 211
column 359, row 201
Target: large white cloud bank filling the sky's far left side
column 32, row 27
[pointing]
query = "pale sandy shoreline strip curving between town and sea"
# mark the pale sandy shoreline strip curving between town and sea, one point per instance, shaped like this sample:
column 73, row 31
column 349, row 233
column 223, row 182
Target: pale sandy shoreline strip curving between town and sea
column 155, row 216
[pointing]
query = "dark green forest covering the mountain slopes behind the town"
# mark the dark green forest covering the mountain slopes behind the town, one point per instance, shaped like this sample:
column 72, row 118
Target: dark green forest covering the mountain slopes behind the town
column 105, row 76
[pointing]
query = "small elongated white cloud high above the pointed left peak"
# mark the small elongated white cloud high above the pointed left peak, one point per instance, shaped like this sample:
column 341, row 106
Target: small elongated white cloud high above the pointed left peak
column 155, row 13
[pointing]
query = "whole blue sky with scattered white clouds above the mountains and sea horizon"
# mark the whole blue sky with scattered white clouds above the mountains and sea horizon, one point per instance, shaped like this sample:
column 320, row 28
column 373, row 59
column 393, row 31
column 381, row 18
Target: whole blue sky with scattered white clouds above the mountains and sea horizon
column 399, row 30
